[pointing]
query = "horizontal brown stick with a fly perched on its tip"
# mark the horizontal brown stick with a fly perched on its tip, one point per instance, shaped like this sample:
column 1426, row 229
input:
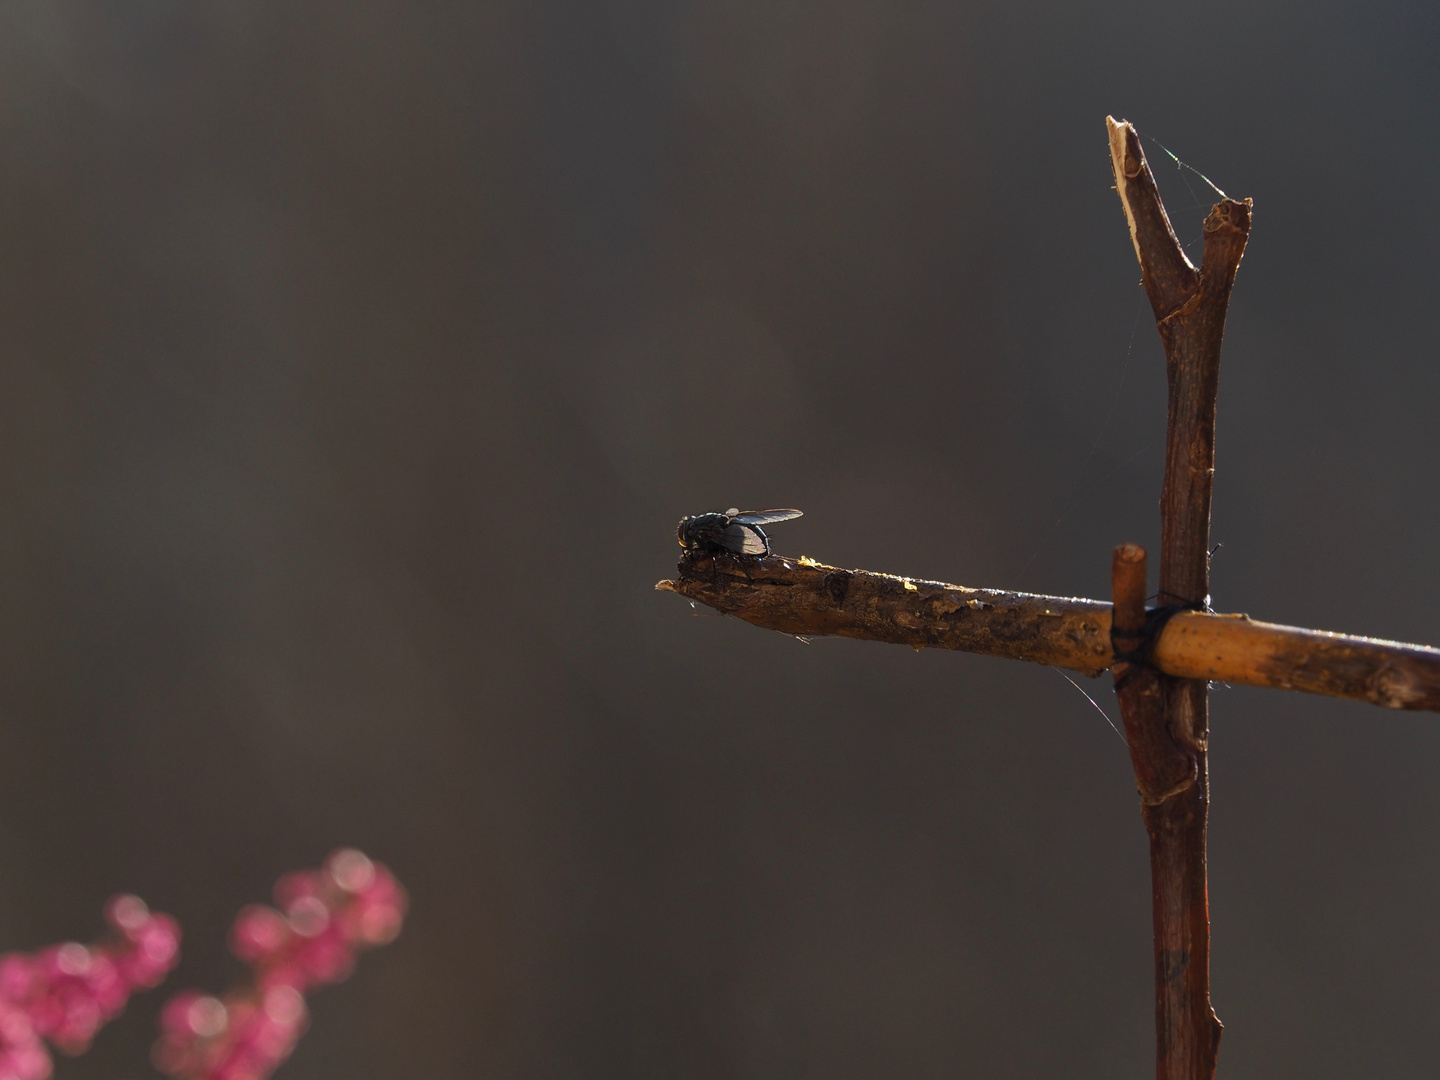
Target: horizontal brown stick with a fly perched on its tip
column 807, row 598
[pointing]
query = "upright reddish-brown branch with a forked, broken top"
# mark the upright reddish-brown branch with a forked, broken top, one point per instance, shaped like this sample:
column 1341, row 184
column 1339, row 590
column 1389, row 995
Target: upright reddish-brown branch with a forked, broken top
column 1170, row 716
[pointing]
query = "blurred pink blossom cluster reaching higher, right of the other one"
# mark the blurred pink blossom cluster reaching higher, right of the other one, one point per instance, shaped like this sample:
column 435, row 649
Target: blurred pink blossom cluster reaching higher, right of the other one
column 323, row 919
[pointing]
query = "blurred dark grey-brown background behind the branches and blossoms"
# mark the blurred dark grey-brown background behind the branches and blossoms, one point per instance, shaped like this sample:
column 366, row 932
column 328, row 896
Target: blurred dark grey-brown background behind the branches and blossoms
column 359, row 359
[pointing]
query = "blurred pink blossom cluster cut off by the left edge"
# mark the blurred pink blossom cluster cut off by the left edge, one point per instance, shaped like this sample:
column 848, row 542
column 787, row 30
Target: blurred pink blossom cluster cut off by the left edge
column 67, row 993
